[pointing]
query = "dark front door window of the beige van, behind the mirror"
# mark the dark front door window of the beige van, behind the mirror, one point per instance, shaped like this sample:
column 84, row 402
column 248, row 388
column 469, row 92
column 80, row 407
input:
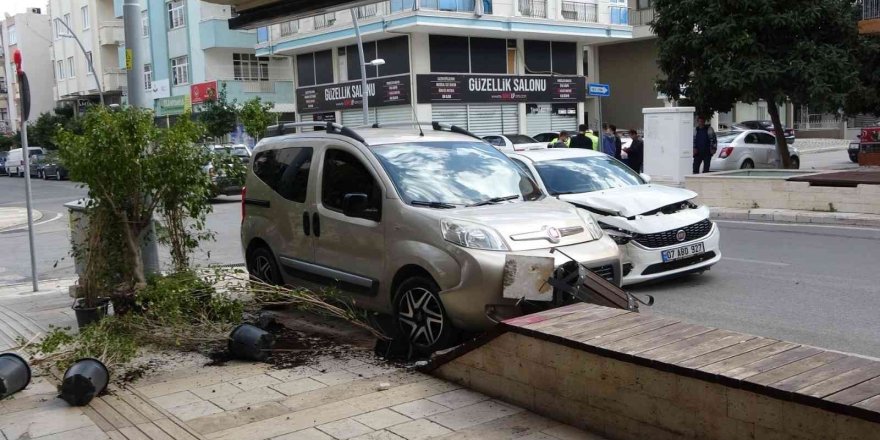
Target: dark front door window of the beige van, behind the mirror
column 345, row 174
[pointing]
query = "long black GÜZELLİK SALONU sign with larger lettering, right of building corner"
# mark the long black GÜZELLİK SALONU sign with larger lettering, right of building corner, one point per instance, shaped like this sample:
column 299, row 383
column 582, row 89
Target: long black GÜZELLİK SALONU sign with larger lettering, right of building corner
column 440, row 88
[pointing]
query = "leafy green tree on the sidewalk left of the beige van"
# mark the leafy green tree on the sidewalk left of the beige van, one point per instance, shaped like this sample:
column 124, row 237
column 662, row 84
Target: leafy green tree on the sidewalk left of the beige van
column 131, row 169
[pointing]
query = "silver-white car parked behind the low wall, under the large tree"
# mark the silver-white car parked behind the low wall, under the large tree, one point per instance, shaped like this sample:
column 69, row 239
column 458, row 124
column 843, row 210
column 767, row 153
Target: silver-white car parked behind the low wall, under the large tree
column 749, row 149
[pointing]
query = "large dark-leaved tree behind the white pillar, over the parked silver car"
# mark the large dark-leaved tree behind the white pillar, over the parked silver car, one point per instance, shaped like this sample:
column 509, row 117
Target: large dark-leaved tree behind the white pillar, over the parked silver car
column 724, row 51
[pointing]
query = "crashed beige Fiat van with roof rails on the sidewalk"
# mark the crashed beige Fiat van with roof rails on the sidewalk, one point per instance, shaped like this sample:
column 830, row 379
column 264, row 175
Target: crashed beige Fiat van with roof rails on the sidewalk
column 418, row 227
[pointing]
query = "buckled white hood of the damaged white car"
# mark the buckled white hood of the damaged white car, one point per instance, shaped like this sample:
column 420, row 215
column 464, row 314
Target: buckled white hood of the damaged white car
column 630, row 201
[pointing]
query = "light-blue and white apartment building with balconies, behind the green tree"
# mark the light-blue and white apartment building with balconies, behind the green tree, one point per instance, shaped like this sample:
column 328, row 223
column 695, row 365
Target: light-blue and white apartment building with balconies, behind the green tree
column 191, row 54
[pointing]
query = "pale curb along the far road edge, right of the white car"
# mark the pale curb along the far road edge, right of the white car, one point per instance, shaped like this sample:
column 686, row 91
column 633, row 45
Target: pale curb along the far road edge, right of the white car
column 799, row 217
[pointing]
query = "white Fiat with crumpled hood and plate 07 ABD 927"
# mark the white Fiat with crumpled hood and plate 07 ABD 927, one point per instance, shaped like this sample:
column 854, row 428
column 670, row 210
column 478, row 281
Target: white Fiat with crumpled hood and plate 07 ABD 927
column 660, row 231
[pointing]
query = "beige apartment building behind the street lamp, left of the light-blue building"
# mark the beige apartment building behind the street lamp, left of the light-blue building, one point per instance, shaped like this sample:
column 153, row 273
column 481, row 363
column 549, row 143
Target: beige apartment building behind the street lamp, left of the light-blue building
column 96, row 25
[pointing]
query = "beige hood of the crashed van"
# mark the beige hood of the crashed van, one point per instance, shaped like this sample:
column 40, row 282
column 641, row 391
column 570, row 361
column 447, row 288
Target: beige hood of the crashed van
column 525, row 225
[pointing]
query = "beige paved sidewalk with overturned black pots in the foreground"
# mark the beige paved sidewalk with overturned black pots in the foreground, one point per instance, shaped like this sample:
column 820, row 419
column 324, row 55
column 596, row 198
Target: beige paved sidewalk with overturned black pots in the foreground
column 334, row 394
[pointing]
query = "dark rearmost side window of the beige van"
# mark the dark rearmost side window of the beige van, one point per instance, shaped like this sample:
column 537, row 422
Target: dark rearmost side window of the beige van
column 286, row 171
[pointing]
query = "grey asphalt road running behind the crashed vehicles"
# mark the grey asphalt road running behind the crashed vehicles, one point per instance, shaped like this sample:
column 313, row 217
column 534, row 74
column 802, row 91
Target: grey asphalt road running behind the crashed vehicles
column 810, row 284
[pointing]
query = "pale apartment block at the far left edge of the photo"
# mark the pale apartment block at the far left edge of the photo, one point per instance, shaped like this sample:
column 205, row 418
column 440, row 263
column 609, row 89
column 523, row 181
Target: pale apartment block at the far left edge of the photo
column 28, row 32
